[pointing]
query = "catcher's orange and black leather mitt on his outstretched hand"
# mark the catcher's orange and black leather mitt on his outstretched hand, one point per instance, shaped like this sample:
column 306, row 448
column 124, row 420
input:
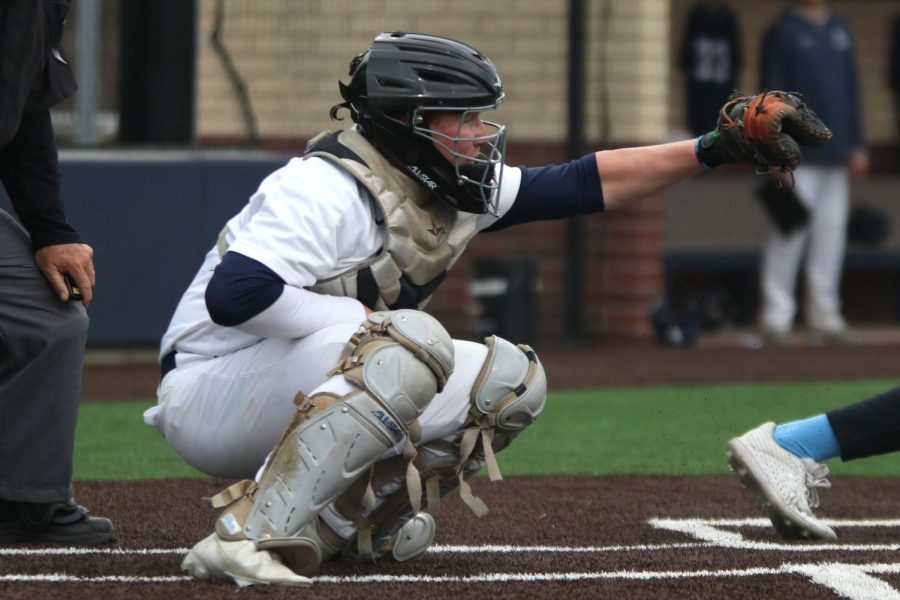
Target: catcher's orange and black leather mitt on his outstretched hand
column 765, row 130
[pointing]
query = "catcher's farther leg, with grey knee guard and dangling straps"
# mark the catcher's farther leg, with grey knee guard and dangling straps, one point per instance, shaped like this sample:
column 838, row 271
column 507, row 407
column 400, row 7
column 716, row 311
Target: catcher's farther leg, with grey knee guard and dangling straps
column 496, row 391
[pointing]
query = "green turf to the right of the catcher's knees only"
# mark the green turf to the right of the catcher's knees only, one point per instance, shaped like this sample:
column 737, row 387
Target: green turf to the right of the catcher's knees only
column 673, row 430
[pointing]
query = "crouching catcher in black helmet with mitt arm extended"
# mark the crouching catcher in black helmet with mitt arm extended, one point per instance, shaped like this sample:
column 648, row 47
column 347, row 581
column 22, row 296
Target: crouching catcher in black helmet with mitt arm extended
column 300, row 358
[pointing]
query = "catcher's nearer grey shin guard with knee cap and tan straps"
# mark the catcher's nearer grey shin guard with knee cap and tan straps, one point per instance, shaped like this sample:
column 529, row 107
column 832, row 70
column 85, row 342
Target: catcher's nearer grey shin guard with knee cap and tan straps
column 397, row 361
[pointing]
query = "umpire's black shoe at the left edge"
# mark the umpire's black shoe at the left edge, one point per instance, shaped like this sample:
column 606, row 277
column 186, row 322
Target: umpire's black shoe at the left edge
column 68, row 524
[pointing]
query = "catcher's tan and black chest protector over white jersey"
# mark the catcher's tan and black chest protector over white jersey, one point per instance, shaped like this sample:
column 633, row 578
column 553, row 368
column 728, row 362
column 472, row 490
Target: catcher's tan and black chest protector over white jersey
column 424, row 236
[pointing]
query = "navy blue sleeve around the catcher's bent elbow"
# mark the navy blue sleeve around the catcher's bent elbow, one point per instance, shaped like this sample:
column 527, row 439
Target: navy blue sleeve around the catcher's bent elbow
column 240, row 289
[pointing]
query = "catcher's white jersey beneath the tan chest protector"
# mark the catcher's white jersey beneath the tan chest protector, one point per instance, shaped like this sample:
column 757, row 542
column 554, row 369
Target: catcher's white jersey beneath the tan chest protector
column 308, row 221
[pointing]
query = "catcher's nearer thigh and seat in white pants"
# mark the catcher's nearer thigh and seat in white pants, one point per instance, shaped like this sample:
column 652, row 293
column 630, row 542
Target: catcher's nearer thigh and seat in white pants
column 224, row 415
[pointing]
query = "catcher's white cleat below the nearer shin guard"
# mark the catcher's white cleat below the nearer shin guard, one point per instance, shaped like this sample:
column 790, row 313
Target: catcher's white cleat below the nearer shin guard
column 212, row 558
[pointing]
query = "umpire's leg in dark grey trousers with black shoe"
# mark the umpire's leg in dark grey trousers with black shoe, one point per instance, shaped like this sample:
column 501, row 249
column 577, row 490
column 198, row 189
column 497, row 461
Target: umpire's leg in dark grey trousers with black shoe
column 41, row 356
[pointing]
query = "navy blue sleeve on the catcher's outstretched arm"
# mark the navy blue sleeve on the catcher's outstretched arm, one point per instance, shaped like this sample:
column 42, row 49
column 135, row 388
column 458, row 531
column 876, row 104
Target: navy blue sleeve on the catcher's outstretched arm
column 555, row 192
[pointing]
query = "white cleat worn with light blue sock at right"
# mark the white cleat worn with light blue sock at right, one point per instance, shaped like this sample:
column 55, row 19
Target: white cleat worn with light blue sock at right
column 785, row 483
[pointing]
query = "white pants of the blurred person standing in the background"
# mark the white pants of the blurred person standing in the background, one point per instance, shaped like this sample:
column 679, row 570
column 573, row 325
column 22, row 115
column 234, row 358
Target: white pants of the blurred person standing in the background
column 825, row 191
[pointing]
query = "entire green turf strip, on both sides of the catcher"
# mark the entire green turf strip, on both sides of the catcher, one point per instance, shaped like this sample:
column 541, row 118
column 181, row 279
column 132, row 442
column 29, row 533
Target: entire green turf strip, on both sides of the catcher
column 651, row 430
